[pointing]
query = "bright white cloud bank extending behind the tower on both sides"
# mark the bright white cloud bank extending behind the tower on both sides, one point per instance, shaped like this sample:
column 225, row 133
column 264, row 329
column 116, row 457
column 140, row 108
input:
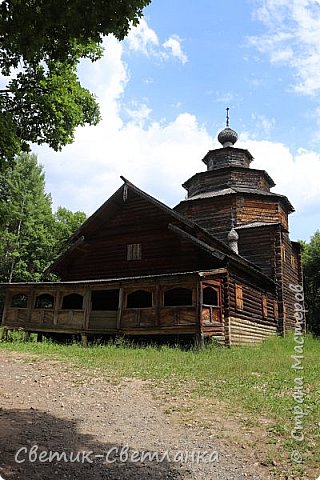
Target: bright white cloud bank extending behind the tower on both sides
column 158, row 156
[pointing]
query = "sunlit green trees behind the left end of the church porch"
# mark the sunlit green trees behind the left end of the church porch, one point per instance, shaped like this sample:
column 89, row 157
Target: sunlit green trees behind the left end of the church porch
column 30, row 233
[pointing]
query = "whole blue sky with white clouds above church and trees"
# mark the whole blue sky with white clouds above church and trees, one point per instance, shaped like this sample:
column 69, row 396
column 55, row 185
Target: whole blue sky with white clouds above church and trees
column 163, row 93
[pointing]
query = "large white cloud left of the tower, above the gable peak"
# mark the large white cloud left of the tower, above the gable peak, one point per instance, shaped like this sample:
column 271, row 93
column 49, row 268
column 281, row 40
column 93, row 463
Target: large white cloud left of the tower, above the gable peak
column 156, row 155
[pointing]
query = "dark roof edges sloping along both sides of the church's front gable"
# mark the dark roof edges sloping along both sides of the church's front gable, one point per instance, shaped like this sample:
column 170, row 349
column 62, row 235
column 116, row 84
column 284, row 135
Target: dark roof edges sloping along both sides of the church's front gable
column 180, row 225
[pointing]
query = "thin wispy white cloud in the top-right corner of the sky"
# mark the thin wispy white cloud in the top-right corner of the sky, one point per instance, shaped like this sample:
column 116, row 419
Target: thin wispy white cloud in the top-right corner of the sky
column 292, row 38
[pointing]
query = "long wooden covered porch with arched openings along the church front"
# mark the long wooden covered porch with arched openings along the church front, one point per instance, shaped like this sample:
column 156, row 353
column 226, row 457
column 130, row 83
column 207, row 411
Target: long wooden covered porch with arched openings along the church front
column 188, row 303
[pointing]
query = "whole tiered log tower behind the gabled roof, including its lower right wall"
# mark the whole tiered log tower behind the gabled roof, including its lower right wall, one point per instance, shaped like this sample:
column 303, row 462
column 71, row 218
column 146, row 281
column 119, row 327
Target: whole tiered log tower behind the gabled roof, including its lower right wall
column 235, row 204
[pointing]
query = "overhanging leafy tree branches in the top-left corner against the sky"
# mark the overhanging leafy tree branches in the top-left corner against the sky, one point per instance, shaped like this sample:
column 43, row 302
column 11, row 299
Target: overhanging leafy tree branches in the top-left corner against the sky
column 45, row 39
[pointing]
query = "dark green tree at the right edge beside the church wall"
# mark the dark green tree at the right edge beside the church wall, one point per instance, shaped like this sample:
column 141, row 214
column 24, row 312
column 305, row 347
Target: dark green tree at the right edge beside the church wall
column 311, row 267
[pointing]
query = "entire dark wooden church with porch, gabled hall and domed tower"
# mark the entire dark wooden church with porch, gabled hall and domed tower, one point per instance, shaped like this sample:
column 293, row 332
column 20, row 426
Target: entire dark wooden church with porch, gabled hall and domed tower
column 218, row 265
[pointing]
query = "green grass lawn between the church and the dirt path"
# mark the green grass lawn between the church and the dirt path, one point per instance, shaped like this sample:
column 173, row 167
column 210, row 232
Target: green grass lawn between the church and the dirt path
column 254, row 383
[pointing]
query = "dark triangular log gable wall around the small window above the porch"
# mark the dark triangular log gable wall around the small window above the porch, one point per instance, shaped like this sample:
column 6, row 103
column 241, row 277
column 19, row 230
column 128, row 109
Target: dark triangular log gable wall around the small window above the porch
column 104, row 253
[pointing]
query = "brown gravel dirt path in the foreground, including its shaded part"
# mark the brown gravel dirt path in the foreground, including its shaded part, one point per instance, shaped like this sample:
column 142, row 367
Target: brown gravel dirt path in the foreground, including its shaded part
column 61, row 409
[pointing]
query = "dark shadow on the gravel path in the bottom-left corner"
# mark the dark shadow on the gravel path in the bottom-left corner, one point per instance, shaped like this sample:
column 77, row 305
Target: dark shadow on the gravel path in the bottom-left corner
column 22, row 429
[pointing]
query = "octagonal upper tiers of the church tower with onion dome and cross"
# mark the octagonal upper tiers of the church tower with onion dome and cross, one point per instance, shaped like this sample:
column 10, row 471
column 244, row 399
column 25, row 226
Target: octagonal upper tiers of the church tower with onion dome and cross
column 230, row 185
